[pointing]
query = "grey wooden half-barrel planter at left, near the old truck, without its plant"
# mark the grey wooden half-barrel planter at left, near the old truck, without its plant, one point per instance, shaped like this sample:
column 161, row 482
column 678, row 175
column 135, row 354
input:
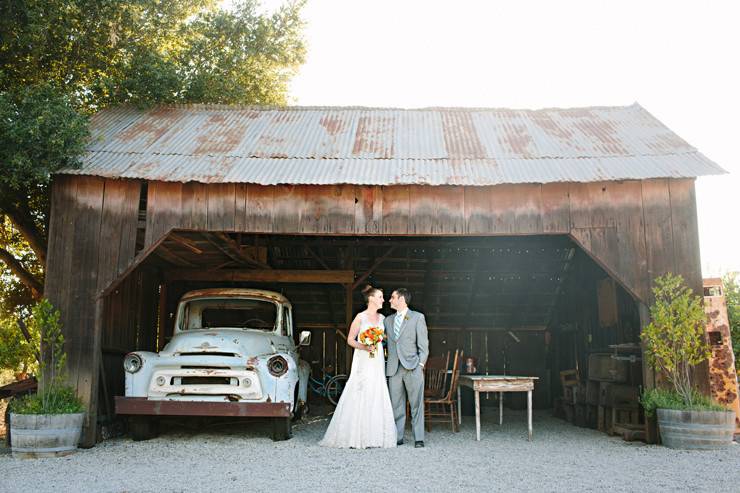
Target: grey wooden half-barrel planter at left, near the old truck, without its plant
column 44, row 435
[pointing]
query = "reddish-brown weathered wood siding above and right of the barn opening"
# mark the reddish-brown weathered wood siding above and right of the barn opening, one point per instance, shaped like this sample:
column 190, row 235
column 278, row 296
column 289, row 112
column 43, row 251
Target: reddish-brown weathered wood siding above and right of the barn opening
column 636, row 230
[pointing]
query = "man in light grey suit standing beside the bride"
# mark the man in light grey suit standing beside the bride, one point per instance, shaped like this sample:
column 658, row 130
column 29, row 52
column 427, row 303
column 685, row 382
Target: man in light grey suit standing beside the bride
column 408, row 349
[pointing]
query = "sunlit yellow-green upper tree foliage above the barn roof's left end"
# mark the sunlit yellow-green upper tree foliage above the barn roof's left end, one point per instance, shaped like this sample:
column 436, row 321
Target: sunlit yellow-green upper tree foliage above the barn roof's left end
column 144, row 52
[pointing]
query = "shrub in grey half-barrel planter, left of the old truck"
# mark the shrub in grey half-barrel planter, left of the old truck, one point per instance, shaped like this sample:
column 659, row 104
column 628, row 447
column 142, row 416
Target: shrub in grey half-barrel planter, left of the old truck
column 48, row 423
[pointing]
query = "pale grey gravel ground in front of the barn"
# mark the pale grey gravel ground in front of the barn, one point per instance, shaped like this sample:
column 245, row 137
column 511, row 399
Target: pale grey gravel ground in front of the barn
column 243, row 458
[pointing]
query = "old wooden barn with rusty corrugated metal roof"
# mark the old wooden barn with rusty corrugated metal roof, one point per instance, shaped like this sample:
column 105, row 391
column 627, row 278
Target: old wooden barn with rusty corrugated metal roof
column 530, row 239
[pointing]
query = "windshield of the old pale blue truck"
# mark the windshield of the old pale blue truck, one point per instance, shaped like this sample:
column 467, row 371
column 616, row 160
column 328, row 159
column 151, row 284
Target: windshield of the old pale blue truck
column 241, row 313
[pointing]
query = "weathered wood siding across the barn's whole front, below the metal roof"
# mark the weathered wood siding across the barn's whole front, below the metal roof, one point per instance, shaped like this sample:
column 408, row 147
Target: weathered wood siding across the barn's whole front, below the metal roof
column 636, row 230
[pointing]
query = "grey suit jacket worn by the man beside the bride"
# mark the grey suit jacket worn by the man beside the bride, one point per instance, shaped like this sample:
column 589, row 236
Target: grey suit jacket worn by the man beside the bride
column 412, row 345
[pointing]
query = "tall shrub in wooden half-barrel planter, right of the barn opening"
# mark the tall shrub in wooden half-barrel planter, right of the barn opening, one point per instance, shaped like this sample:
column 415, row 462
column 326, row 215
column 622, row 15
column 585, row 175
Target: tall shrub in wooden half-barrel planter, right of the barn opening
column 675, row 342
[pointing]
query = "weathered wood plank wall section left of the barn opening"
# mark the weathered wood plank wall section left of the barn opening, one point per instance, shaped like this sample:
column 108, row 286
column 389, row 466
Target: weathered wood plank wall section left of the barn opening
column 92, row 234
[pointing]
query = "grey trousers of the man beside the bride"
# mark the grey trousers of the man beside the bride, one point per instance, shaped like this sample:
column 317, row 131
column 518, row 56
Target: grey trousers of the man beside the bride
column 408, row 383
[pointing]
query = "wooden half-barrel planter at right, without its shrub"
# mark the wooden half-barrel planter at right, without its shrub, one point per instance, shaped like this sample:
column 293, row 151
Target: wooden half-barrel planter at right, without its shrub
column 696, row 429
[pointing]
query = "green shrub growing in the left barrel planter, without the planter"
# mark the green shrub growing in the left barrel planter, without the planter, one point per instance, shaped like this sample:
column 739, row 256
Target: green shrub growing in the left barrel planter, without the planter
column 55, row 395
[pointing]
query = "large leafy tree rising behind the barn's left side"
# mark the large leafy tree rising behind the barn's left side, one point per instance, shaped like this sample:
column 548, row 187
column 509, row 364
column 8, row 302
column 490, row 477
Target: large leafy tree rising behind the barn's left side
column 61, row 60
